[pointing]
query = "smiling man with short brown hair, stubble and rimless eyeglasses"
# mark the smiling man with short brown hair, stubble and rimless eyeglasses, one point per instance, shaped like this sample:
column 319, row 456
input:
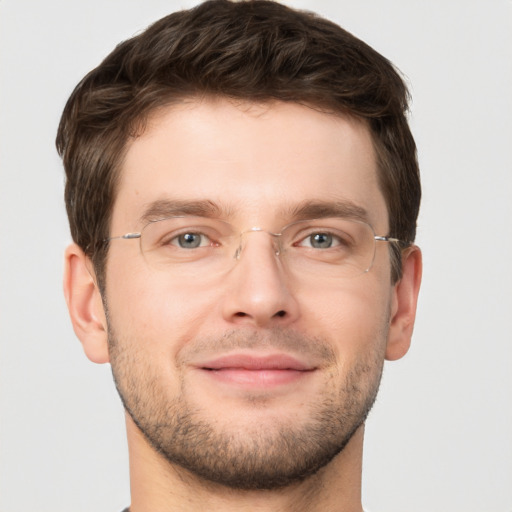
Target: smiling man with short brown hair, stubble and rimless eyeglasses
column 242, row 189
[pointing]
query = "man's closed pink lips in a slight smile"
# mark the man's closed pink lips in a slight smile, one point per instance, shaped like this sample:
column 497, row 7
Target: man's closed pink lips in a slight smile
column 256, row 371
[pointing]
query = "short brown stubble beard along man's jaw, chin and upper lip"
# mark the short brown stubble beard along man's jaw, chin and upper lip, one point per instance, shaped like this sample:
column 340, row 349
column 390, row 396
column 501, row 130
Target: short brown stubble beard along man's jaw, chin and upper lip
column 258, row 457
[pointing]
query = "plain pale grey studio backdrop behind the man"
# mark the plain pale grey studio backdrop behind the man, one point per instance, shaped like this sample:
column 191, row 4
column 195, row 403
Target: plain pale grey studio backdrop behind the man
column 440, row 436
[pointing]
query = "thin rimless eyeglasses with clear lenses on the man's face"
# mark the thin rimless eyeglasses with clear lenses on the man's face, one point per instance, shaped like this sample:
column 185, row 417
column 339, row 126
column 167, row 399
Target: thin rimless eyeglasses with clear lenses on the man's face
column 190, row 246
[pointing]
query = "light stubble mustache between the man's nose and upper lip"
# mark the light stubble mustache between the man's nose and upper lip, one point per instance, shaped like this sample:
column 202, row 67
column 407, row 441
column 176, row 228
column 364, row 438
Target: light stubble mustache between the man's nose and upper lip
column 312, row 348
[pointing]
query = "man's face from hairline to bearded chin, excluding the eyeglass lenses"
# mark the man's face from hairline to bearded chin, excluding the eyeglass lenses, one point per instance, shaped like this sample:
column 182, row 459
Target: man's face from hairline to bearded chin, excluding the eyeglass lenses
column 259, row 377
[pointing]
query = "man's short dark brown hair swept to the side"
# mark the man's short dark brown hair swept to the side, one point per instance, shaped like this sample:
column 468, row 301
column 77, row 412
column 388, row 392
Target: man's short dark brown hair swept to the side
column 255, row 50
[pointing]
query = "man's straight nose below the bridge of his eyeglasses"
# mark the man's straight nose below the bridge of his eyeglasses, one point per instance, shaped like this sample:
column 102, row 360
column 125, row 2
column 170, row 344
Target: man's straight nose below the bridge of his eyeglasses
column 258, row 287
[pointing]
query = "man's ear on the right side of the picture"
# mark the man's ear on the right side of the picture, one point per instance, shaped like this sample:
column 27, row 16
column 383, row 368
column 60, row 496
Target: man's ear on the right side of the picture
column 404, row 301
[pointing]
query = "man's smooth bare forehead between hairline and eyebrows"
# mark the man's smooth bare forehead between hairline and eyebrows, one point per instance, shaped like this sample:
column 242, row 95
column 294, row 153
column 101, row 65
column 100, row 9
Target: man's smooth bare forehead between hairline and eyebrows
column 253, row 161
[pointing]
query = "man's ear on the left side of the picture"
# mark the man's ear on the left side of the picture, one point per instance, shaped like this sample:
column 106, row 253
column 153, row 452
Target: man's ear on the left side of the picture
column 85, row 305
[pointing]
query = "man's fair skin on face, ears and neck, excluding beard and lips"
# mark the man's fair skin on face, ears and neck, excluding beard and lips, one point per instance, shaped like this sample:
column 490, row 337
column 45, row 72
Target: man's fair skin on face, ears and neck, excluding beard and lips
column 258, row 162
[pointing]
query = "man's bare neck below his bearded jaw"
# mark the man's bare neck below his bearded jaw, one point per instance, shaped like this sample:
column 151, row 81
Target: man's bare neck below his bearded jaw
column 159, row 486
